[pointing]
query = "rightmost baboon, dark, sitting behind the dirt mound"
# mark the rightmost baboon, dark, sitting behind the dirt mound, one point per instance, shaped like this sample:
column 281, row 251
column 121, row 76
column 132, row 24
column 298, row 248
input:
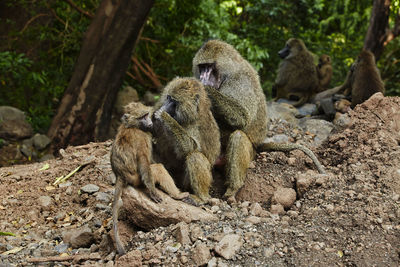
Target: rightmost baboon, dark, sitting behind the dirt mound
column 362, row 81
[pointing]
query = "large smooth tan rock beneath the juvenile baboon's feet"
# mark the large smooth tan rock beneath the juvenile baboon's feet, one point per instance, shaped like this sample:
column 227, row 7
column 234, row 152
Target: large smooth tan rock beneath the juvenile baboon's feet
column 143, row 212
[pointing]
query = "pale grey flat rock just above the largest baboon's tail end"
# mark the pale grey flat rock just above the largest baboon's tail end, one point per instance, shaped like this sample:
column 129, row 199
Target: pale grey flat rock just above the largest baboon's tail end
column 321, row 129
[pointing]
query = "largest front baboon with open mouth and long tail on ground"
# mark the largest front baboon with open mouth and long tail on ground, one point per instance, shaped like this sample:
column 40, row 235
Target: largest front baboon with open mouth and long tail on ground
column 238, row 105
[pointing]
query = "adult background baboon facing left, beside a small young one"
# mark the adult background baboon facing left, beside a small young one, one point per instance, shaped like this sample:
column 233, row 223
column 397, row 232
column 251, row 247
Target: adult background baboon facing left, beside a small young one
column 297, row 77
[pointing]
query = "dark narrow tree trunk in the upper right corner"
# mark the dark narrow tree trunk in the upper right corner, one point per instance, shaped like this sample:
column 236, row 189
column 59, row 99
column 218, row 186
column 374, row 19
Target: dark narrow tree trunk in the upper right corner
column 378, row 26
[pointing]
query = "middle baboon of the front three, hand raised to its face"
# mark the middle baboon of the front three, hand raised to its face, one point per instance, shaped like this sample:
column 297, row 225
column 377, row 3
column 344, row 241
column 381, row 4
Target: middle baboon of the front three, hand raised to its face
column 187, row 135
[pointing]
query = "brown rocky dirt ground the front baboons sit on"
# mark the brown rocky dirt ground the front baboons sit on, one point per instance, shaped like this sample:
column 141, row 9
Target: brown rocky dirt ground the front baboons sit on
column 286, row 214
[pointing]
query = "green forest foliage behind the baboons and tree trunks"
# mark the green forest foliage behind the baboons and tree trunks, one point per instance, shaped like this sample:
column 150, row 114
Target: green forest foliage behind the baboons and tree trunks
column 40, row 42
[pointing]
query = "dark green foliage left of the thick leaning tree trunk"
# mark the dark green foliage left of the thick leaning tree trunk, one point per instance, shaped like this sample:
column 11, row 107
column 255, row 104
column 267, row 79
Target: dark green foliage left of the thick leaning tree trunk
column 37, row 59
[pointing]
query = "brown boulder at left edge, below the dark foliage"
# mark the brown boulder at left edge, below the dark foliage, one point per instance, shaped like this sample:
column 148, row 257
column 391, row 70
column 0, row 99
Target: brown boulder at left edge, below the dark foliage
column 13, row 124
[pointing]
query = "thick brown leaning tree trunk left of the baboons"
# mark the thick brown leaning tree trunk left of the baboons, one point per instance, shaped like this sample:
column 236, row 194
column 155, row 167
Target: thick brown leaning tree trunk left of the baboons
column 84, row 113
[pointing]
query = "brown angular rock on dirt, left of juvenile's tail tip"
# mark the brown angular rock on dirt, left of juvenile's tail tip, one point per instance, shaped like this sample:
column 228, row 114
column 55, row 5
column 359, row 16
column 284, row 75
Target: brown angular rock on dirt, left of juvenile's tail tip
column 79, row 238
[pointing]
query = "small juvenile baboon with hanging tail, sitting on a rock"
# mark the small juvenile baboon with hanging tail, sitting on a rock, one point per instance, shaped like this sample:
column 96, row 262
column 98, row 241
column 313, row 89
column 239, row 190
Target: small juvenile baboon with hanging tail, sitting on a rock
column 131, row 162
